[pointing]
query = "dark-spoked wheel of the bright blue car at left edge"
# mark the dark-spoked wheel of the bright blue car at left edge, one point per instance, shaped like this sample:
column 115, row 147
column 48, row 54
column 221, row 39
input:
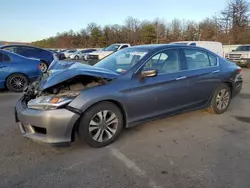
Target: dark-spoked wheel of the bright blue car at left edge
column 17, row 82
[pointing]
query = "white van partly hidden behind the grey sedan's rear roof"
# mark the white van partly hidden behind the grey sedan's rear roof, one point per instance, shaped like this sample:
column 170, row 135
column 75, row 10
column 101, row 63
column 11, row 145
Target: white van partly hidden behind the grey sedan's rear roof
column 213, row 46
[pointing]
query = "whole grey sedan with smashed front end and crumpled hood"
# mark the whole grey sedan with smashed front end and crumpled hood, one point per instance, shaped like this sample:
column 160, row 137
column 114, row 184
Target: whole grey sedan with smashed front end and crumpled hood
column 130, row 86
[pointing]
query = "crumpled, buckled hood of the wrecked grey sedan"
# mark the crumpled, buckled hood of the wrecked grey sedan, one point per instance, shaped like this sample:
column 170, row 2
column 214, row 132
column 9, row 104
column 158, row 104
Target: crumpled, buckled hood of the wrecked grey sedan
column 60, row 71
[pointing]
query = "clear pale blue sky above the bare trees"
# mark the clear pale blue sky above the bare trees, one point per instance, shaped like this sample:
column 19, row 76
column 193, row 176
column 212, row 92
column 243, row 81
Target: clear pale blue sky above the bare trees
column 30, row 20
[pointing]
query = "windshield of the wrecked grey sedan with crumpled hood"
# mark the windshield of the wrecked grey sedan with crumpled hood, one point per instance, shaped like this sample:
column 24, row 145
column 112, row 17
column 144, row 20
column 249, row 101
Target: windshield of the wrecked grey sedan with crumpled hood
column 122, row 60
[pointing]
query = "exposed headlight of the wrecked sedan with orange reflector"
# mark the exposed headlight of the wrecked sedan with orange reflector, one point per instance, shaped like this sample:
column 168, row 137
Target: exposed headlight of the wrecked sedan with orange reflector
column 48, row 102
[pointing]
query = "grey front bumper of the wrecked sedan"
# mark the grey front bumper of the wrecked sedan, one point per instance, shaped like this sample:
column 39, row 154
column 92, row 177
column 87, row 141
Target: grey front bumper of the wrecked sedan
column 47, row 126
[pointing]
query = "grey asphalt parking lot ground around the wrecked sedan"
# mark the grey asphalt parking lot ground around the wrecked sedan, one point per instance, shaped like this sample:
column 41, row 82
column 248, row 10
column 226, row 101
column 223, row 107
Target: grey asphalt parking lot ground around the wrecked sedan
column 192, row 150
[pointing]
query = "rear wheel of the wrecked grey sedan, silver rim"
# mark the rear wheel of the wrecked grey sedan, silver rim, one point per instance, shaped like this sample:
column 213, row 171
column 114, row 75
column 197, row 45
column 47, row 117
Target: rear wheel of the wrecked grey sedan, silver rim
column 221, row 100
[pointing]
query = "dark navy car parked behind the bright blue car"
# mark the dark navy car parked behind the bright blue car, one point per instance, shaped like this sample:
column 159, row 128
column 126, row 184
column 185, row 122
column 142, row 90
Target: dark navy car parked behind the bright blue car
column 45, row 56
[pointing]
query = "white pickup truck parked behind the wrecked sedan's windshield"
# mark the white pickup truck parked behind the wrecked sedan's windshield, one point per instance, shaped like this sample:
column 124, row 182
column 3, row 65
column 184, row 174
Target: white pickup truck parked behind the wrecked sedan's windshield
column 94, row 57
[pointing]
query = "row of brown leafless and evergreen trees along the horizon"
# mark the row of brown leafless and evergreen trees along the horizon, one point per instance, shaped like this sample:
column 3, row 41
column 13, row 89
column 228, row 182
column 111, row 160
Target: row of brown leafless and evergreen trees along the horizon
column 229, row 26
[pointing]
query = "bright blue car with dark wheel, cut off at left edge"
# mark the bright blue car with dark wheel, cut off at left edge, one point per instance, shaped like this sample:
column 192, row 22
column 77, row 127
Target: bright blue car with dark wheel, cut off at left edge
column 16, row 71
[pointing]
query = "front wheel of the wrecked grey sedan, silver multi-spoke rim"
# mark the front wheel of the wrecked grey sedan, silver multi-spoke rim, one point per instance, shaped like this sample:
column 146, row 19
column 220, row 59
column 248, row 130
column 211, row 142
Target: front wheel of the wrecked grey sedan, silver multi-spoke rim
column 101, row 124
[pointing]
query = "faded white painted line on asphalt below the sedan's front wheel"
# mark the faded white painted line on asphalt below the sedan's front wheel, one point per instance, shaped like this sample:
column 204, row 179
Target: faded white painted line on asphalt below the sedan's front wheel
column 131, row 165
